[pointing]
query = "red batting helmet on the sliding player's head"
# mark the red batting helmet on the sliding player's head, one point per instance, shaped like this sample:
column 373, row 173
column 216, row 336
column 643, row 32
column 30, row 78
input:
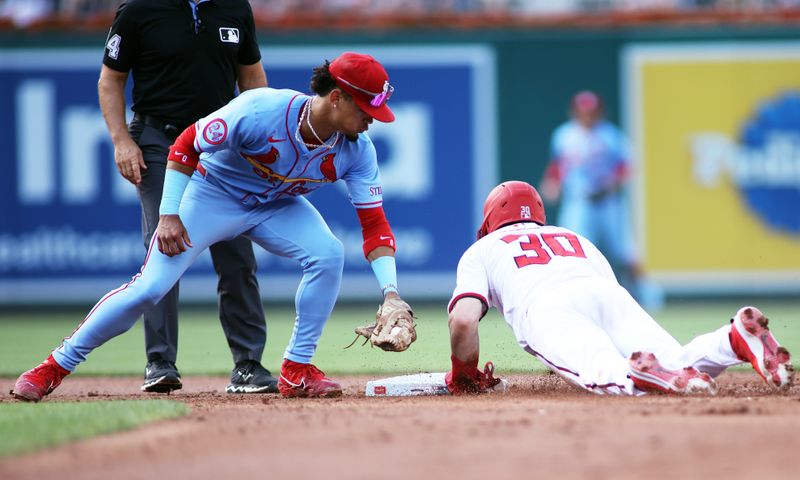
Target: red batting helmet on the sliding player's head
column 511, row 202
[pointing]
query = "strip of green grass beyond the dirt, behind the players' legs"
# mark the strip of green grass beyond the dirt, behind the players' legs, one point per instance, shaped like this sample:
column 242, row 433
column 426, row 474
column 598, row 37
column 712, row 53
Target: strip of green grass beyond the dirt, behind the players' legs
column 27, row 338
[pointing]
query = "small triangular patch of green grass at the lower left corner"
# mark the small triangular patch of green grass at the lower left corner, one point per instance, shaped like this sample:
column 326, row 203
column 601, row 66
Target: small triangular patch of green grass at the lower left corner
column 26, row 427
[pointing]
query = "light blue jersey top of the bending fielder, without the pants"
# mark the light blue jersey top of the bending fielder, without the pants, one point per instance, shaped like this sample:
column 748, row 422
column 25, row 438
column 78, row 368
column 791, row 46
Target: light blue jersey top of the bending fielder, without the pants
column 249, row 148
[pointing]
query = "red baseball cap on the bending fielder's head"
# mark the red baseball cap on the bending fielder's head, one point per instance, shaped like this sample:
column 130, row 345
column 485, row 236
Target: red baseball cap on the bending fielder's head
column 364, row 79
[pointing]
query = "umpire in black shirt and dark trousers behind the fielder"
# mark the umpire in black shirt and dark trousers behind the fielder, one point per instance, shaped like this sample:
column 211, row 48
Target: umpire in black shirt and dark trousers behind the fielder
column 187, row 57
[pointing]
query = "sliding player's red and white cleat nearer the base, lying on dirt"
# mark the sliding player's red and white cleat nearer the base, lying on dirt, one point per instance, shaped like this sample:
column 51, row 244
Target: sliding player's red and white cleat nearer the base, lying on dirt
column 648, row 375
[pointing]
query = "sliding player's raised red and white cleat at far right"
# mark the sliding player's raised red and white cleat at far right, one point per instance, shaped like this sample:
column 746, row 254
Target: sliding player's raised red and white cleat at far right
column 752, row 342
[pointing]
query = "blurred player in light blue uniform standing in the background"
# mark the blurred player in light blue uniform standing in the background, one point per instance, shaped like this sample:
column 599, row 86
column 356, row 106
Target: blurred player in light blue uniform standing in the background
column 590, row 166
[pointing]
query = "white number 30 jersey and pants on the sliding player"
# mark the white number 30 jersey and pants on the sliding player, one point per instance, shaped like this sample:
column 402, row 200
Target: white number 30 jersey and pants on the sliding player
column 560, row 297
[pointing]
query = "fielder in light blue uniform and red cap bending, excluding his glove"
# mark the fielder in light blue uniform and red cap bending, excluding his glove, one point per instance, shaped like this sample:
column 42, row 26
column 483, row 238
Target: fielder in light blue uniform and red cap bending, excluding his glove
column 251, row 163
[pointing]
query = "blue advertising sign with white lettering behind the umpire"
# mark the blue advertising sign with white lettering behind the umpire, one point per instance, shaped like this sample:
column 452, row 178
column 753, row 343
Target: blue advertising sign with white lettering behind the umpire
column 69, row 228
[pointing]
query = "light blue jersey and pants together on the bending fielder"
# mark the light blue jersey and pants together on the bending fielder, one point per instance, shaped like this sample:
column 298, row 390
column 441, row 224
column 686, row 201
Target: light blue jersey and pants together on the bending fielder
column 251, row 180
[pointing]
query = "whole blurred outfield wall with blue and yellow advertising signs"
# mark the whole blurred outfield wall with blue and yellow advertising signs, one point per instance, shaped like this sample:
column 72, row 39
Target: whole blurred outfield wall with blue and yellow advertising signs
column 707, row 91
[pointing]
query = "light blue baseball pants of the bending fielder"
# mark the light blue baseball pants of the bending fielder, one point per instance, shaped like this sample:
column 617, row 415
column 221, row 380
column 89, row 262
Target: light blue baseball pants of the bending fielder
column 290, row 227
